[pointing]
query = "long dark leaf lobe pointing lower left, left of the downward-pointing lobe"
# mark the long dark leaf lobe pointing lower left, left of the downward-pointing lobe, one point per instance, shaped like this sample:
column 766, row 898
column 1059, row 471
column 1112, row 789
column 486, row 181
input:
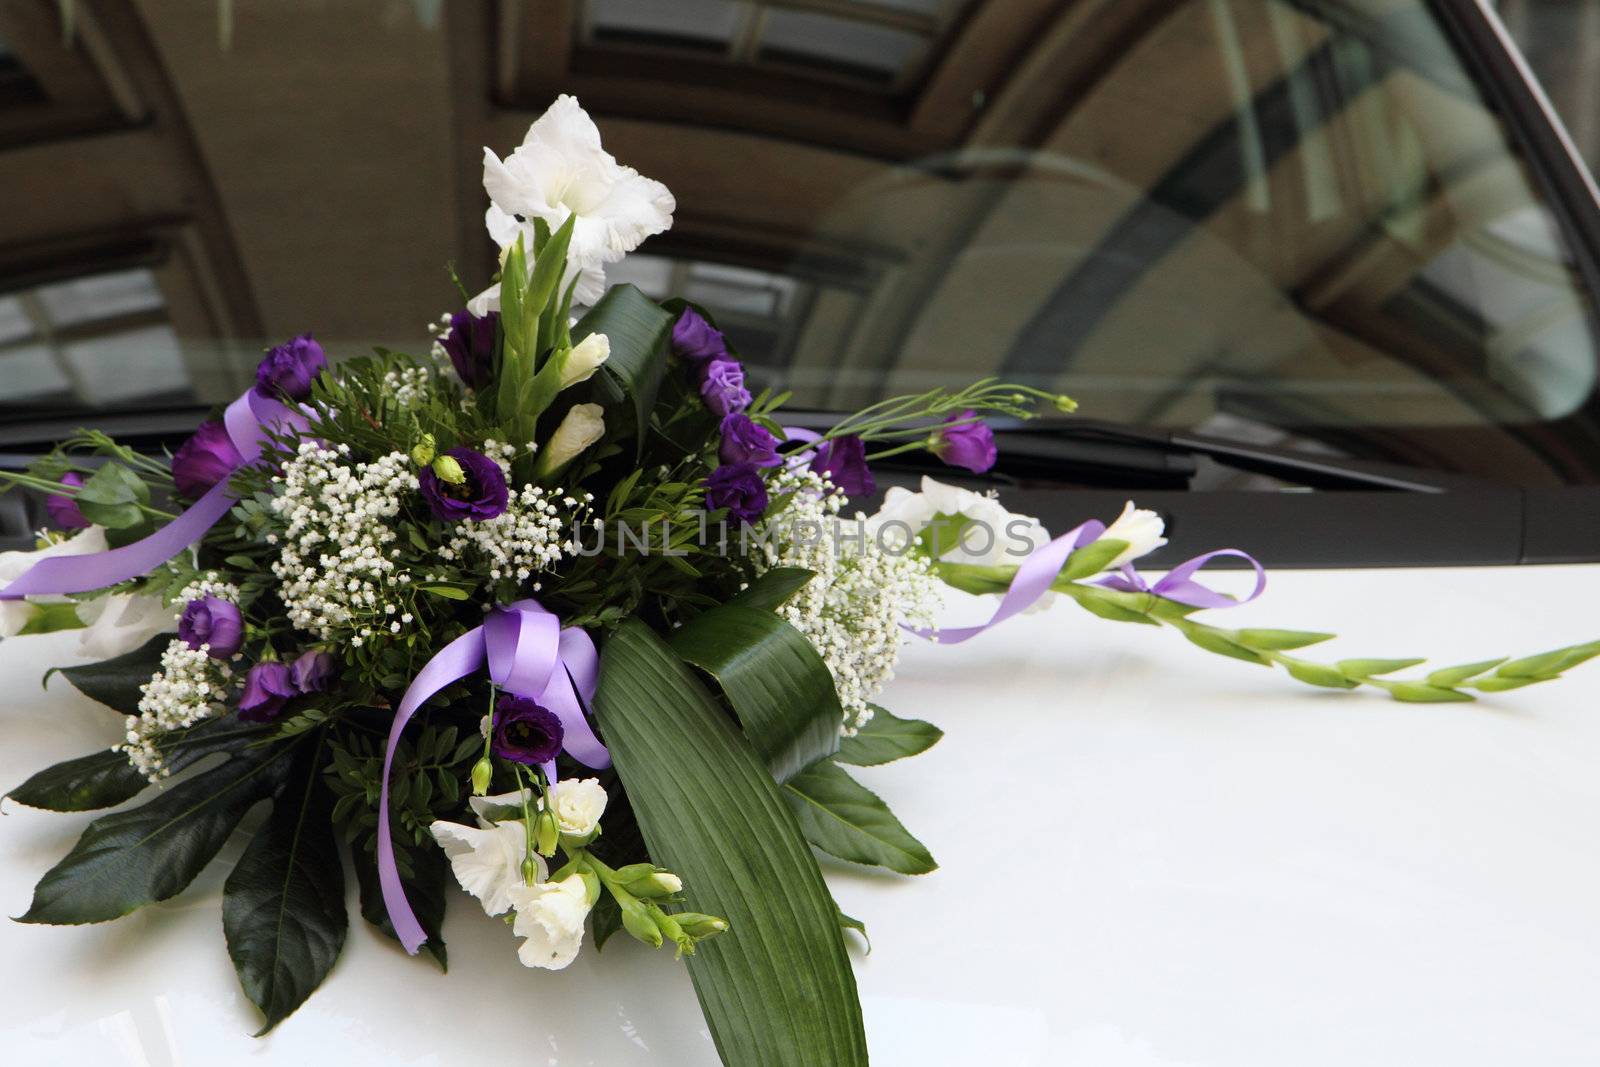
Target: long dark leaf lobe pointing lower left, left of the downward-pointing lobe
column 134, row 858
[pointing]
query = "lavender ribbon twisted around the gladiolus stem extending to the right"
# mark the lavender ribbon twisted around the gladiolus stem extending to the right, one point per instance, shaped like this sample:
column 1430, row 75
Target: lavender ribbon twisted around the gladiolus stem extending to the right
column 1039, row 572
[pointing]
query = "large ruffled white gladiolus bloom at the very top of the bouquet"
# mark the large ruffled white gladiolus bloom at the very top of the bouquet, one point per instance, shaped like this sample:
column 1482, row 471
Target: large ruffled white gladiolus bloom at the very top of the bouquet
column 561, row 170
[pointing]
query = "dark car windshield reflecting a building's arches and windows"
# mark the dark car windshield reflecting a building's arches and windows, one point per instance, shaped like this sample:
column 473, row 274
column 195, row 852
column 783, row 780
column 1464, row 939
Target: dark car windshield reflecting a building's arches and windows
column 1290, row 223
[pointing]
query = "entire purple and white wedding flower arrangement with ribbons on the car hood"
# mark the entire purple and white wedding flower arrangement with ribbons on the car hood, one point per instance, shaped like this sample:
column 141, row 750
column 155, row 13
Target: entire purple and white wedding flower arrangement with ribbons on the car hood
column 559, row 612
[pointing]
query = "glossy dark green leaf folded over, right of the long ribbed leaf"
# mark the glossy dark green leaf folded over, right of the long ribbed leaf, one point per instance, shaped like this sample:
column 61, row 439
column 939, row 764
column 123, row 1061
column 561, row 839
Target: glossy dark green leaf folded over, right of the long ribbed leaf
column 775, row 681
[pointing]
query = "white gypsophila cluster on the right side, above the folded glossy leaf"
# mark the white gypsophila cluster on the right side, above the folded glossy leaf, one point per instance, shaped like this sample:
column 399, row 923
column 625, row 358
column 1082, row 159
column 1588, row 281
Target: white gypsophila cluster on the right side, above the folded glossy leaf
column 862, row 593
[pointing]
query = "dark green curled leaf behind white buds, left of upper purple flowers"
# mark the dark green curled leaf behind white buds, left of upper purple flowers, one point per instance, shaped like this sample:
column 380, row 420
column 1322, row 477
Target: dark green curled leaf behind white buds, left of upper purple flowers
column 638, row 330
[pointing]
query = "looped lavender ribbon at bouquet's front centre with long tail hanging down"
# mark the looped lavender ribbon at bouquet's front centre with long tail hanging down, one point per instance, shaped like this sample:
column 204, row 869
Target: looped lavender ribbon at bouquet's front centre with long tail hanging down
column 529, row 655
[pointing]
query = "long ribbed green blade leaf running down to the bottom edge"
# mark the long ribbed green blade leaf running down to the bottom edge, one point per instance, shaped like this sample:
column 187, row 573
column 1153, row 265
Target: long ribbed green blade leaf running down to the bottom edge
column 777, row 991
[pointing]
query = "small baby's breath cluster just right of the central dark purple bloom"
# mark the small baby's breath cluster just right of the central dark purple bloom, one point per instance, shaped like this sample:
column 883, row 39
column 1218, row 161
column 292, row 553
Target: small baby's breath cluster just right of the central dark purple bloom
column 524, row 540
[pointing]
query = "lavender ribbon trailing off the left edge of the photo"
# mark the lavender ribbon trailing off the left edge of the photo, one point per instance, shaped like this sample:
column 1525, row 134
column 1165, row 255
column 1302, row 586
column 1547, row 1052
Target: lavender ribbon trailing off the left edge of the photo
column 247, row 423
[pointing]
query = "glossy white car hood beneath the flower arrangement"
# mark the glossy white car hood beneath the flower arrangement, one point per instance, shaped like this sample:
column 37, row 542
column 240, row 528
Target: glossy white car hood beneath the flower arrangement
column 1153, row 858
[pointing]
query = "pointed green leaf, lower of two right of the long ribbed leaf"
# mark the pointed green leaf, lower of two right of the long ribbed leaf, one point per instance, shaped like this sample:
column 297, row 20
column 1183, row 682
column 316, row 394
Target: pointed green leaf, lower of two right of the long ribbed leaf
column 847, row 820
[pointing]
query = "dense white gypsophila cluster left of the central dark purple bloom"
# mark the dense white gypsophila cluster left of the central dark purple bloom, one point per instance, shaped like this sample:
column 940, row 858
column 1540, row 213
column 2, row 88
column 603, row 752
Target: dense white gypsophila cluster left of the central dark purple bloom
column 335, row 564
